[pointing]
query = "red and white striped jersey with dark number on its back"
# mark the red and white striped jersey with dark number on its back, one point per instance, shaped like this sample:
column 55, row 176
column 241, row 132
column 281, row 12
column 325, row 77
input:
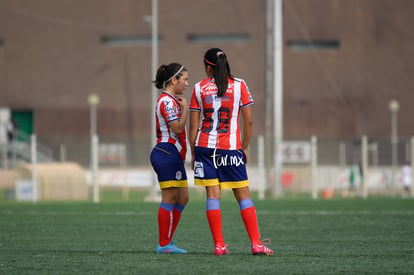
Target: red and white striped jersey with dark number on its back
column 220, row 115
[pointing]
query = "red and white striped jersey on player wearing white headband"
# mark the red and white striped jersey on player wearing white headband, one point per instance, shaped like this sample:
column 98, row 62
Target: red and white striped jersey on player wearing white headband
column 167, row 111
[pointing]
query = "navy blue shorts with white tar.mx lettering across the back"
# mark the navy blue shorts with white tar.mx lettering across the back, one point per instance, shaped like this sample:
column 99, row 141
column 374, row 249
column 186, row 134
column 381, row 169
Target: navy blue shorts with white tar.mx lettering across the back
column 226, row 168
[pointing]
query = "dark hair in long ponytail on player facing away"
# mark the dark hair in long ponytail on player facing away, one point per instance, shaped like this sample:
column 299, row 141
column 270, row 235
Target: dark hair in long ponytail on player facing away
column 217, row 59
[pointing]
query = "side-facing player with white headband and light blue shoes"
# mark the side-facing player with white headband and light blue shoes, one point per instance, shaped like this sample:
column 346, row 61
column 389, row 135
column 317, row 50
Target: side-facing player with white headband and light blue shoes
column 168, row 155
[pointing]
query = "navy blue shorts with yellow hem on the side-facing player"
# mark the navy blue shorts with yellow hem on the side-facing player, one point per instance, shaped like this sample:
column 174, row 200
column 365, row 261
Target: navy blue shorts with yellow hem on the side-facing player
column 168, row 165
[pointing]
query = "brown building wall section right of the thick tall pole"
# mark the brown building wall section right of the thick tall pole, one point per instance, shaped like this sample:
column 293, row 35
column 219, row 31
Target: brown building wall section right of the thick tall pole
column 345, row 93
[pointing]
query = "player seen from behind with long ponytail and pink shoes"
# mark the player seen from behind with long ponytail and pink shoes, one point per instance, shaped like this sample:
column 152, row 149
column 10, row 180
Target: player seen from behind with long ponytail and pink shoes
column 219, row 155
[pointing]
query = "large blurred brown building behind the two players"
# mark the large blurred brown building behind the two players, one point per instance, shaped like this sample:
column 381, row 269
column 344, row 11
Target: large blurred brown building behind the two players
column 344, row 60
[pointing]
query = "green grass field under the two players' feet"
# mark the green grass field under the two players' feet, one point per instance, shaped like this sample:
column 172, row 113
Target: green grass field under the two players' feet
column 113, row 237
